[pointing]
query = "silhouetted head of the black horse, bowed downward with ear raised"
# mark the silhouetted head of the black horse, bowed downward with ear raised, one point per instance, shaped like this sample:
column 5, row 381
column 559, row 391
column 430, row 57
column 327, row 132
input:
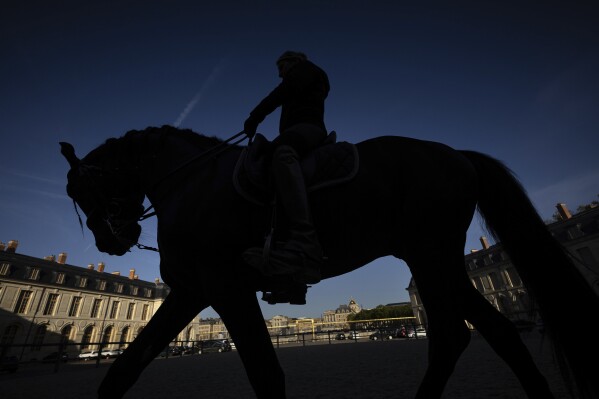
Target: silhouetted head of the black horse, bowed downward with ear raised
column 109, row 194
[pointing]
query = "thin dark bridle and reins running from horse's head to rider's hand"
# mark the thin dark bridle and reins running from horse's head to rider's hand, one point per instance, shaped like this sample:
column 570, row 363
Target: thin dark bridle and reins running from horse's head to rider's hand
column 112, row 208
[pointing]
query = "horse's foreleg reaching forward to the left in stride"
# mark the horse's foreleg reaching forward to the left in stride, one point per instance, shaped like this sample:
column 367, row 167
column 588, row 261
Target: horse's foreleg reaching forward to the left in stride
column 171, row 317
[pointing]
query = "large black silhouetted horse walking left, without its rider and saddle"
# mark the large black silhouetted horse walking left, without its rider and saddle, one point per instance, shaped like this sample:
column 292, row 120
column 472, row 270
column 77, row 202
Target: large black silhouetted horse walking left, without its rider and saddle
column 403, row 189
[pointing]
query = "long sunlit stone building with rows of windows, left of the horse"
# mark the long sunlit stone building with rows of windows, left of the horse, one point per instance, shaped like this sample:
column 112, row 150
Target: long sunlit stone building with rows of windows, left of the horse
column 44, row 302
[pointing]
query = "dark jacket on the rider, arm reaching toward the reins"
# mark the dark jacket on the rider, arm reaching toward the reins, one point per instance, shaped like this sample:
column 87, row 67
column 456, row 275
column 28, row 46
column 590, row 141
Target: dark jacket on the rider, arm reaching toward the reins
column 300, row 95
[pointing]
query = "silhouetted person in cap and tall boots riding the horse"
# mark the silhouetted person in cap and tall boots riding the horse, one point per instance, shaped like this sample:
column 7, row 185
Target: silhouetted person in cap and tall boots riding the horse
column 301, row 95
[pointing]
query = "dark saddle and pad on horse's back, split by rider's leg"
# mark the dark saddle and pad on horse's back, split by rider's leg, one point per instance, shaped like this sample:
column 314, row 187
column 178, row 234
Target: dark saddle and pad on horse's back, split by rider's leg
column 330, row 164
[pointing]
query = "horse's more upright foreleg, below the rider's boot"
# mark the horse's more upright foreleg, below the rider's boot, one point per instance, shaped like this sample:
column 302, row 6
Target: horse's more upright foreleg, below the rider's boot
column 253, row 343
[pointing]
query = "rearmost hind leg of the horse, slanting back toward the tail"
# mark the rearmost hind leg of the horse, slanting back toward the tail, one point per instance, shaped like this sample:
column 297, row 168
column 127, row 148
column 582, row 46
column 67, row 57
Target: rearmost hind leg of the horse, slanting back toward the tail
column 502, row 336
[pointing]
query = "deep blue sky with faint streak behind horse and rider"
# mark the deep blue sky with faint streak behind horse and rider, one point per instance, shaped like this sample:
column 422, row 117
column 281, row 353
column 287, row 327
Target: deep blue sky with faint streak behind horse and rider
column 519, row 82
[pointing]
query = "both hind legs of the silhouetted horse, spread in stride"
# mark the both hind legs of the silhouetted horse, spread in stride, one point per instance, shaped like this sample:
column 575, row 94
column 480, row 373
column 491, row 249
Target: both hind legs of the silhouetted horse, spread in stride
column 450, row 298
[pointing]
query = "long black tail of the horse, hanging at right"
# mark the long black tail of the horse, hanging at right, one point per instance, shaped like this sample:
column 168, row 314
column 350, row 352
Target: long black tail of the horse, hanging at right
column 565, row 299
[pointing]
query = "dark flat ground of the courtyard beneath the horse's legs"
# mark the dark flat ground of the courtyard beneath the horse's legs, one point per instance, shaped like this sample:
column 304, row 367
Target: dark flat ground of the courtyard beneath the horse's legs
column 363, row 369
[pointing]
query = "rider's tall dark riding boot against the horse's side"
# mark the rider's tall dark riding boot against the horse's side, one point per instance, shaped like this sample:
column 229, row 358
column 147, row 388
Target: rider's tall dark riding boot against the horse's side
column 301, row 256
